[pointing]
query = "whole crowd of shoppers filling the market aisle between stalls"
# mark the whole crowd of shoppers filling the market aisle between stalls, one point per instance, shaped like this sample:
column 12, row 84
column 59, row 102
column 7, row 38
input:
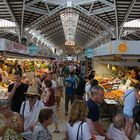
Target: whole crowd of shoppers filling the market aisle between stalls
column 31, row 107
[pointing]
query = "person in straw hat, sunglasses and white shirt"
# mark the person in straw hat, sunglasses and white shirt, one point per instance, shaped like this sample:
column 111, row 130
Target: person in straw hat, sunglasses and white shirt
column 30, row 110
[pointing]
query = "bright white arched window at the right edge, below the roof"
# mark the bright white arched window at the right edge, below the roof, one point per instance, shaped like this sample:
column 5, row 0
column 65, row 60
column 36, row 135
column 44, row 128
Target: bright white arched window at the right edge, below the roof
column 132, row 24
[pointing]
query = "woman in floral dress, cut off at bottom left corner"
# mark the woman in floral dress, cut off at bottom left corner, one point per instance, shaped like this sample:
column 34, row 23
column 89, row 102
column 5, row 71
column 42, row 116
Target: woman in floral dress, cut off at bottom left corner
column 11, row 123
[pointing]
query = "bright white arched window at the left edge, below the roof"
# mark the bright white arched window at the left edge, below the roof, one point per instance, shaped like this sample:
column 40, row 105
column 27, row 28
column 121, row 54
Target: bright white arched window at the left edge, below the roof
column 7, row 23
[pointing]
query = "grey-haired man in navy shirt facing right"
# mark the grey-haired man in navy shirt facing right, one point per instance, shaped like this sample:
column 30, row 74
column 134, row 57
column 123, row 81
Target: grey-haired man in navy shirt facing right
column 95, row 127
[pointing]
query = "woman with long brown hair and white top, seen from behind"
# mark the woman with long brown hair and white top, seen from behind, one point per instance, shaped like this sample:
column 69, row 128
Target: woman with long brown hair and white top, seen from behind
column 77, row 128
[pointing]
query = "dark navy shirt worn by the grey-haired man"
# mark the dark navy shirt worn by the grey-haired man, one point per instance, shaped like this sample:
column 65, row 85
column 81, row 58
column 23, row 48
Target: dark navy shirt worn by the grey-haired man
column 93, row 113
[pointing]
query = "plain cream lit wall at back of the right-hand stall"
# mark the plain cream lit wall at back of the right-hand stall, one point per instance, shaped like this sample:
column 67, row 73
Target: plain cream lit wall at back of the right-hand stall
column 102, row 69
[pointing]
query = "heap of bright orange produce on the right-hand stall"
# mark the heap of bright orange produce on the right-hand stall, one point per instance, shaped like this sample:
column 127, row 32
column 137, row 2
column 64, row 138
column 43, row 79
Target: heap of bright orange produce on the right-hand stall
column 114, row 94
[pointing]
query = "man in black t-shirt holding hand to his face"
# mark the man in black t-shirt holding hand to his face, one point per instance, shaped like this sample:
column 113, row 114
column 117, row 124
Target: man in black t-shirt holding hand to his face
column 16, row 92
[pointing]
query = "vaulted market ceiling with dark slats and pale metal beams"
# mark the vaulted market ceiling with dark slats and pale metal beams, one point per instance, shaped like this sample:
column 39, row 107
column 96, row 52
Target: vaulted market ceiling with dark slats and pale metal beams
column 99, row 20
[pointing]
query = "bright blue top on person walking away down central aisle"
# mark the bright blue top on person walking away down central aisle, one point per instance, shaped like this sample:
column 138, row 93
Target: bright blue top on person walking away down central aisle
column 70, row 84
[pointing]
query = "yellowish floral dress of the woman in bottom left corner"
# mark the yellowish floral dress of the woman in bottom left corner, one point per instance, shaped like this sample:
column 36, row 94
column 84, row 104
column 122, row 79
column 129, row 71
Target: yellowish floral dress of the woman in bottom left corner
column 10, row 134
